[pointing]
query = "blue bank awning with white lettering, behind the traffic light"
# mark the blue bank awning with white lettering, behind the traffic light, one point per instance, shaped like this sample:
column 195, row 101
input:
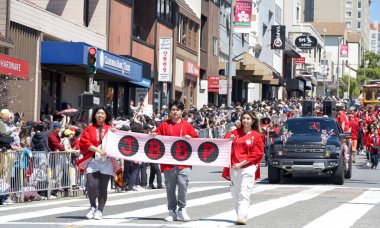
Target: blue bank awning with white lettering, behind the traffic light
column 71, row 58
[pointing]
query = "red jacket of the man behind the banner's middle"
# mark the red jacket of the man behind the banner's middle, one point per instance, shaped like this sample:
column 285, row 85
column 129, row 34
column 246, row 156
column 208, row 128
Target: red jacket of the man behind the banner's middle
column 180, row 129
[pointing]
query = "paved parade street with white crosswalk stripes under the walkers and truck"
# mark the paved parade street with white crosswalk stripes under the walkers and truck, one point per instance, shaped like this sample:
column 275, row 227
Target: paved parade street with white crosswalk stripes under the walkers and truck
column 303, row 201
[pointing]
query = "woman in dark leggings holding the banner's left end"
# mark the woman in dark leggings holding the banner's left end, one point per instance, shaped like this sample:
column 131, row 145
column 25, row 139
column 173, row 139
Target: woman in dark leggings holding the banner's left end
column 98, row 166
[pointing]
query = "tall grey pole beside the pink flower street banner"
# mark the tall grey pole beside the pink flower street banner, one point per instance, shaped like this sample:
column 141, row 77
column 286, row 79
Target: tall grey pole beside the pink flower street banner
column 230, row 53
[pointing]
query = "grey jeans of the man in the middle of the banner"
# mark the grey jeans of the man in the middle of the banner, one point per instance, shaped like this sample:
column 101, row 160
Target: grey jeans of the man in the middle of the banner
column 174, row 178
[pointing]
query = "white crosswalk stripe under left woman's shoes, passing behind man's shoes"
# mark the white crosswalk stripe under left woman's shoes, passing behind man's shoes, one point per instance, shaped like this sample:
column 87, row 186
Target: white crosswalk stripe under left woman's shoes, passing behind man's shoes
column 145, row 212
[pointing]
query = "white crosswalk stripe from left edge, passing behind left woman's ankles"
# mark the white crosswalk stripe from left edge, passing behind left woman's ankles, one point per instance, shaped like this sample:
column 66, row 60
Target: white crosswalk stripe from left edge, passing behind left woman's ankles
column 66, row 209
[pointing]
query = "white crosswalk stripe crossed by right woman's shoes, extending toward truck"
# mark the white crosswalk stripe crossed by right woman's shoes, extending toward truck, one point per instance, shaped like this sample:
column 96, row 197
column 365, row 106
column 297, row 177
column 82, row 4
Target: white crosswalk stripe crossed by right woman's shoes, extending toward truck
column 227, row 218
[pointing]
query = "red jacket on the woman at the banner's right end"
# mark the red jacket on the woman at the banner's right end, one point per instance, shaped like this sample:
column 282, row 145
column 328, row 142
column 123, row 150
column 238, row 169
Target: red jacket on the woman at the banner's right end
column 249, row 147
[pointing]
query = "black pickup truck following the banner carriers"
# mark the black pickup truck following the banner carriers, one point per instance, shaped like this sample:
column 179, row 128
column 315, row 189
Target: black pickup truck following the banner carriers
column 310, row 145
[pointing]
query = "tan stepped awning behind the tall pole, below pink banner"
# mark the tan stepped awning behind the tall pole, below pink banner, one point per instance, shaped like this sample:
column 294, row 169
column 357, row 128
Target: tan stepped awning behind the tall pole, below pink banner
column 250, row 69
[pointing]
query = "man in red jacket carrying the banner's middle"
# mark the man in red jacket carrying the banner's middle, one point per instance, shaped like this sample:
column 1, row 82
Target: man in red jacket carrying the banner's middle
column 176, row 175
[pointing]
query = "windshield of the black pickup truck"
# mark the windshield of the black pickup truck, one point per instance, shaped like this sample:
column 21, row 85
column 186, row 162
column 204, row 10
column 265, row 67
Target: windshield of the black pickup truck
column 311, row 127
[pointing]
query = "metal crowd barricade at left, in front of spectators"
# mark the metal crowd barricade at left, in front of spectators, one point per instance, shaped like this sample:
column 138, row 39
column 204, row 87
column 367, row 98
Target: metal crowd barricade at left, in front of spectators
column 22, row 176
